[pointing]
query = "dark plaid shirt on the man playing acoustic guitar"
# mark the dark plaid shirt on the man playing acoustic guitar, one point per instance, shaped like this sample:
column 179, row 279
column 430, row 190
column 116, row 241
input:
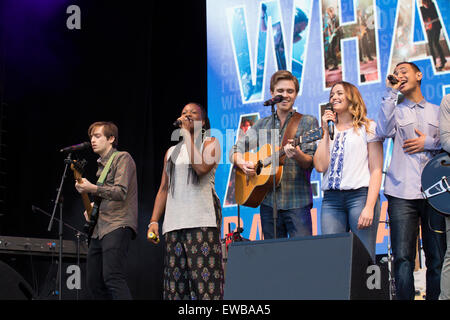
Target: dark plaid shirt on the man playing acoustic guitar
column 294, row 191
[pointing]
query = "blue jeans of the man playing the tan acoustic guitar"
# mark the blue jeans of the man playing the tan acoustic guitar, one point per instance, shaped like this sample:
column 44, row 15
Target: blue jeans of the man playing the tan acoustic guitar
column 293, row 222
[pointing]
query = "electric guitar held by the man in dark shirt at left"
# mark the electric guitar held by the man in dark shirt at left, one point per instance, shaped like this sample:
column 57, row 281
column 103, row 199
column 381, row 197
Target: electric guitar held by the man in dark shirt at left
column 91, row 210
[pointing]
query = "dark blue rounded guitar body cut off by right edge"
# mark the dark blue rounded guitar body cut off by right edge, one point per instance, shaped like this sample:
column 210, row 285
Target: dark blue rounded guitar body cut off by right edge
column 436, row 183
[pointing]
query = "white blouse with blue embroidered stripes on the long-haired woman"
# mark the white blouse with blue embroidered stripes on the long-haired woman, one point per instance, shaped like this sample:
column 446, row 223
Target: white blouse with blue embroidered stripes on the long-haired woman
column 349, row 159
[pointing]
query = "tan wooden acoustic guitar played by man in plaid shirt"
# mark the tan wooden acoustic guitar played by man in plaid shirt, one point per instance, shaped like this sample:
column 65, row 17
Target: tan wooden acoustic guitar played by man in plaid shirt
column 251, row 190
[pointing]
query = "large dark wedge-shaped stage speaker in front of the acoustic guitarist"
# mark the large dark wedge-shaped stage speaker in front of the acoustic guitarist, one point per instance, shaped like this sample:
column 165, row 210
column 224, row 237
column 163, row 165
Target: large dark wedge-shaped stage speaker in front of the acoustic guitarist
column 328, row 267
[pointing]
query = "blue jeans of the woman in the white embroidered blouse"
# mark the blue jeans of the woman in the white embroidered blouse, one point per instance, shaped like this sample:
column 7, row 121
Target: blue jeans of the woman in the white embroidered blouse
column 340, row 213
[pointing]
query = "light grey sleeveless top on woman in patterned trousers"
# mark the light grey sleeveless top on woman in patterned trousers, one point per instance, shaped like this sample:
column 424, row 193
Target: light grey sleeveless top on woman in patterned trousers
column 191, row 205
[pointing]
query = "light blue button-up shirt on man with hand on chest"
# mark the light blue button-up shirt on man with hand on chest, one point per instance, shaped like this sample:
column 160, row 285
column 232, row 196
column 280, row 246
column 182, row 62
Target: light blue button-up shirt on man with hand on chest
column 403, row 178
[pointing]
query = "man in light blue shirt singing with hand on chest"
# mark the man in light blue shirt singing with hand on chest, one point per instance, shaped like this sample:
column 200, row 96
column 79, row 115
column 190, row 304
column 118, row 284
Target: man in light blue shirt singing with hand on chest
column 414, row 127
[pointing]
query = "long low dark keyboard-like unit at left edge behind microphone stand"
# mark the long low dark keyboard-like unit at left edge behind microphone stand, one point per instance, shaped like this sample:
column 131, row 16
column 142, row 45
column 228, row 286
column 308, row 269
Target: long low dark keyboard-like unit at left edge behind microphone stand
column 36, row 246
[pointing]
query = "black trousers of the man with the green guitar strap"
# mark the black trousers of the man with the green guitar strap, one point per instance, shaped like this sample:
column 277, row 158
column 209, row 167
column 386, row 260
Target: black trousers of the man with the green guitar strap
column 106, row 266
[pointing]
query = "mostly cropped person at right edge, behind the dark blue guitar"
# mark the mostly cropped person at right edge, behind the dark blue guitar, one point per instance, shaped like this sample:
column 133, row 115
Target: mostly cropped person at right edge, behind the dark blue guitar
column 444, row 127
